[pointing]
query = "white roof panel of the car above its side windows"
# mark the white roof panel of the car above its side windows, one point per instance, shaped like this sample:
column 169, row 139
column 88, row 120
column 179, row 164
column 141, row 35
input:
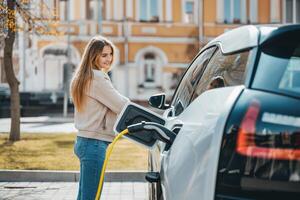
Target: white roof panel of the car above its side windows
column 241, row 38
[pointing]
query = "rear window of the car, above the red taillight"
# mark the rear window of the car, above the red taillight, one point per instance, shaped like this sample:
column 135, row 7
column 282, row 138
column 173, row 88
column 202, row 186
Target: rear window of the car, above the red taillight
column 279, row 69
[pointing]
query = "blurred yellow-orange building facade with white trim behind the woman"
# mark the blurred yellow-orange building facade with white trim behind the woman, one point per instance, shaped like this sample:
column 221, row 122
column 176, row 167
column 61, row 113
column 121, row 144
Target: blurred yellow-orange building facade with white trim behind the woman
column 155, row 39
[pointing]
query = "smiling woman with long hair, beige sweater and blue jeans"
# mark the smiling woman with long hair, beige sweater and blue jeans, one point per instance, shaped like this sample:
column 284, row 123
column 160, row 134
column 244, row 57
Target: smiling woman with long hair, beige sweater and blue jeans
column 97, row 104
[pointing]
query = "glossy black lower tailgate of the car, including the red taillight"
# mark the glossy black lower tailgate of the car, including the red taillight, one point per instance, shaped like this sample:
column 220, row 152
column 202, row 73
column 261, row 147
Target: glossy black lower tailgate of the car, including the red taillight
column 260, row 149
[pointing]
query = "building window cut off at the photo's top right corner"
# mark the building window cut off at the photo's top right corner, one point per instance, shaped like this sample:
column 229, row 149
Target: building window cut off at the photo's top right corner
column 292, row 11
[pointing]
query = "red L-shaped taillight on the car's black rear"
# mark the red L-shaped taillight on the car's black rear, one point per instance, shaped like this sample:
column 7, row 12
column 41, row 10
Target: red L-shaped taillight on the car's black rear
column 269, row 144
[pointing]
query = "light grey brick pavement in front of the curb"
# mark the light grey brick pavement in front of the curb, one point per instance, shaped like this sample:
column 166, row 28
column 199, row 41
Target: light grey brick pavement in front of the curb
column 68, row 191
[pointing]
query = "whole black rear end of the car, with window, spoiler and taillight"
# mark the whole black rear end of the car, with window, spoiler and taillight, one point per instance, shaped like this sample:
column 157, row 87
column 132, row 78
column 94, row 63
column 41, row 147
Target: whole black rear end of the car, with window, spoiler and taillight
column 260, row 150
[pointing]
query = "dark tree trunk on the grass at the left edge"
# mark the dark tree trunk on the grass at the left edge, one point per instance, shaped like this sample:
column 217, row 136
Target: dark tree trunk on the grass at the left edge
column 10, row 75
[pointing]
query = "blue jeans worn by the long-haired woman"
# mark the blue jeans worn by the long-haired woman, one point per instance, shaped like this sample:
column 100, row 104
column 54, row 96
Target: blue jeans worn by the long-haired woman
column 91, row 154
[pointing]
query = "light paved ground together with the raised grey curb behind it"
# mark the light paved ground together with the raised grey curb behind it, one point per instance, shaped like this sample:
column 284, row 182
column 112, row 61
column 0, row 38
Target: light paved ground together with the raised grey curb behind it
column 63, row 185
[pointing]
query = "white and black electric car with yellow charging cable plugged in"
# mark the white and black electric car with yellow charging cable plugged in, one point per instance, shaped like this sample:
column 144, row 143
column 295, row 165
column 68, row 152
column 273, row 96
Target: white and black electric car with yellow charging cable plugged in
column 232, row 128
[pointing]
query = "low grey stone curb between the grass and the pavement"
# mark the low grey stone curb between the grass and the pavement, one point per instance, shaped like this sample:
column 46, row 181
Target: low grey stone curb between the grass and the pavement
column 66, row 176
